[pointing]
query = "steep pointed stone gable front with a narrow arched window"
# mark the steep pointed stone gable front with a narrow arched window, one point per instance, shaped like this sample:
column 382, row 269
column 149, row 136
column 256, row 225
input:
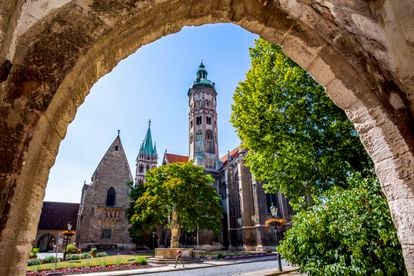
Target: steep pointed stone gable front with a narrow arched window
column 95, row 215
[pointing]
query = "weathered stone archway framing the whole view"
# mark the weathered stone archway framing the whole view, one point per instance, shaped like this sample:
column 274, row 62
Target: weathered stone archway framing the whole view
column 363, row 60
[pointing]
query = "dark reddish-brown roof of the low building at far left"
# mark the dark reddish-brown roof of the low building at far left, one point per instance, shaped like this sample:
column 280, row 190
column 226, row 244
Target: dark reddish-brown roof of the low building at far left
column 57, row 215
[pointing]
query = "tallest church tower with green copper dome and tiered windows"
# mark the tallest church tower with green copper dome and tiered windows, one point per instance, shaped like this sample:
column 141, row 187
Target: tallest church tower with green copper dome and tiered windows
column 203, row 143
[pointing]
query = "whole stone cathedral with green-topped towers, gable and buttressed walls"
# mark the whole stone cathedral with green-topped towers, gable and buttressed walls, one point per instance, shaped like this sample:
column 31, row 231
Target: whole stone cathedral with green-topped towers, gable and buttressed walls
column 102, row 213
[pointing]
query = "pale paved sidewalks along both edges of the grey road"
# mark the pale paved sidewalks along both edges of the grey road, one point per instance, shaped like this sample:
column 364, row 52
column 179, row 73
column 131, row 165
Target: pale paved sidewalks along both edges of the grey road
column 207, row 264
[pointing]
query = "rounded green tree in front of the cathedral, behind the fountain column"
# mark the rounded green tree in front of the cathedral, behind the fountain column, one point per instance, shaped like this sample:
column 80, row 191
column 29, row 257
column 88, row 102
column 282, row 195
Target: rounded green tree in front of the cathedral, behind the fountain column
column 180, row 196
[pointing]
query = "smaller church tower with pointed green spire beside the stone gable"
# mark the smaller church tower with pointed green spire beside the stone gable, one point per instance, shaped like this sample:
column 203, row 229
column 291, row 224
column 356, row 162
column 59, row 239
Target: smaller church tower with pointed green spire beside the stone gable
column 147, row 157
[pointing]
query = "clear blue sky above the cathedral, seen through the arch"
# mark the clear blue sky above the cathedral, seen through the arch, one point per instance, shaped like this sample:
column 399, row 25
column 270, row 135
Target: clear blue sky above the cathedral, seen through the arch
column 151, row 84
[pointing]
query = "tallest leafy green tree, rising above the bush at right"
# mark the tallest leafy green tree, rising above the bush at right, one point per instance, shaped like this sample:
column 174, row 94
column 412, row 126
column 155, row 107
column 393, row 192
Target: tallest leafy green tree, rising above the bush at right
column 299, row 142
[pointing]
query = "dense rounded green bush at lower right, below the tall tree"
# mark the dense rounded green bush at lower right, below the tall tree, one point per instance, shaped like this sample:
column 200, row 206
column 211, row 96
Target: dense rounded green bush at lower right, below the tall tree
column 348, row 232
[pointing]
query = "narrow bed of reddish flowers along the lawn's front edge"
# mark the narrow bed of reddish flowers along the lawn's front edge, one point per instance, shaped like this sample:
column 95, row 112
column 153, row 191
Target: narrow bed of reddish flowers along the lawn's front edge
column 89, row 269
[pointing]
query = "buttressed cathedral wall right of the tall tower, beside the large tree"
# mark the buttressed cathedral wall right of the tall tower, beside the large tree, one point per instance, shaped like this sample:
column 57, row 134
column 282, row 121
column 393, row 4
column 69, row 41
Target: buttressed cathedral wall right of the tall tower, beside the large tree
column 247, row 208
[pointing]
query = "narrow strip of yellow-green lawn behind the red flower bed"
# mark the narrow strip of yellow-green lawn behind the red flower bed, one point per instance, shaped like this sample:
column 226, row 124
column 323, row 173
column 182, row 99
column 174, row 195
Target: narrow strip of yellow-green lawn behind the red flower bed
column 101, row 261
